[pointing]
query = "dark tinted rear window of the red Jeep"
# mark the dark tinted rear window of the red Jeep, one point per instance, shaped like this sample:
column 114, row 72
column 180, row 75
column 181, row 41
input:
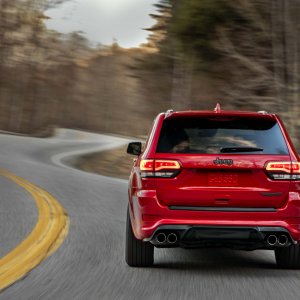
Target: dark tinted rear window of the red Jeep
column 209, row 136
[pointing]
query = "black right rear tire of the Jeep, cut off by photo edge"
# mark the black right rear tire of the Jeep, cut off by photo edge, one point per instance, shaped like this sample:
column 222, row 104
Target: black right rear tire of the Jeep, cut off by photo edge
column 289, row 257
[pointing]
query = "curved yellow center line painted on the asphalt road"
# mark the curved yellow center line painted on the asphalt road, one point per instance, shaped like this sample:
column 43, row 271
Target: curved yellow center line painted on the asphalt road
column 48, row 234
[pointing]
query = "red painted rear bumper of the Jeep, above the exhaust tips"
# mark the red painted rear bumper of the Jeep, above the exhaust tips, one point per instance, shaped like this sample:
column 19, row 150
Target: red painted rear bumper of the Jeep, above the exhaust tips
column 148, row 215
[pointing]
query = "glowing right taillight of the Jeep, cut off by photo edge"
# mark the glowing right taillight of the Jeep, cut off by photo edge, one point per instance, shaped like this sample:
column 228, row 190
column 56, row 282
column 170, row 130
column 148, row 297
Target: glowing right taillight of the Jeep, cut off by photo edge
column 283, row 170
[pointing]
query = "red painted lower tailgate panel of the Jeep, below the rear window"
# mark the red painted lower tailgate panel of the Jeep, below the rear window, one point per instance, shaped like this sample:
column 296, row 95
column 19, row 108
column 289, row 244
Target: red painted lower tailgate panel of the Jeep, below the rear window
column 240, row 185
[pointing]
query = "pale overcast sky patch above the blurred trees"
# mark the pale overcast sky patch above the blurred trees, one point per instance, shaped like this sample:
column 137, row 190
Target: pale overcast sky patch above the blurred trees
column 104, row 21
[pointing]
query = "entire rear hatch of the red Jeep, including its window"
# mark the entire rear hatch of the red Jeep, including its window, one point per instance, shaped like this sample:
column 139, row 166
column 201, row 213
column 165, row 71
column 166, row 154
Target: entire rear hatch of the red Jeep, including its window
column 223, row 162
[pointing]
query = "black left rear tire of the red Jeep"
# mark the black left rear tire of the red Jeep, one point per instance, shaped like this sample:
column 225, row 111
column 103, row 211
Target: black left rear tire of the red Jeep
column 137, row 252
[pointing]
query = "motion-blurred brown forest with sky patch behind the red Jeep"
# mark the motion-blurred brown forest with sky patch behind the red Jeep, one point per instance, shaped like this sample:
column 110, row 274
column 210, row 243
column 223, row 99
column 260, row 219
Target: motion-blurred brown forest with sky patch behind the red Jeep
column 111, row 66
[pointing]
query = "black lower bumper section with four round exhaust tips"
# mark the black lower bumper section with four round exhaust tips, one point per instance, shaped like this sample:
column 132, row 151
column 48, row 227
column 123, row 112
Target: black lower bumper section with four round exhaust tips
column 247, row 238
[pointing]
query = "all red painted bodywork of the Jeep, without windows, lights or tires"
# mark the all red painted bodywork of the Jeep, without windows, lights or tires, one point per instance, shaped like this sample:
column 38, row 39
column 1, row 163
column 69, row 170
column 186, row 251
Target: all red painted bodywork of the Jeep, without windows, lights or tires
column 240, row 185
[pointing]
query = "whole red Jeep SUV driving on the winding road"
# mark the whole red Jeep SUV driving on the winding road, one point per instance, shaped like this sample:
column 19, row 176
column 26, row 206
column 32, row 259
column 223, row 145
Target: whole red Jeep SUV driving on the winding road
column 214, row 179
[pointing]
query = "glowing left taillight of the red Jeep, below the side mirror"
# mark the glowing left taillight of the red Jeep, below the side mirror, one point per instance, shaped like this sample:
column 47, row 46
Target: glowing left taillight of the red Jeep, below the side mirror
column 159, row 168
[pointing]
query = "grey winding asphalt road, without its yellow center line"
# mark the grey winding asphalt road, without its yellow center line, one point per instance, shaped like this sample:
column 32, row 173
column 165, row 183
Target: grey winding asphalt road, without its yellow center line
column 90, row 263
